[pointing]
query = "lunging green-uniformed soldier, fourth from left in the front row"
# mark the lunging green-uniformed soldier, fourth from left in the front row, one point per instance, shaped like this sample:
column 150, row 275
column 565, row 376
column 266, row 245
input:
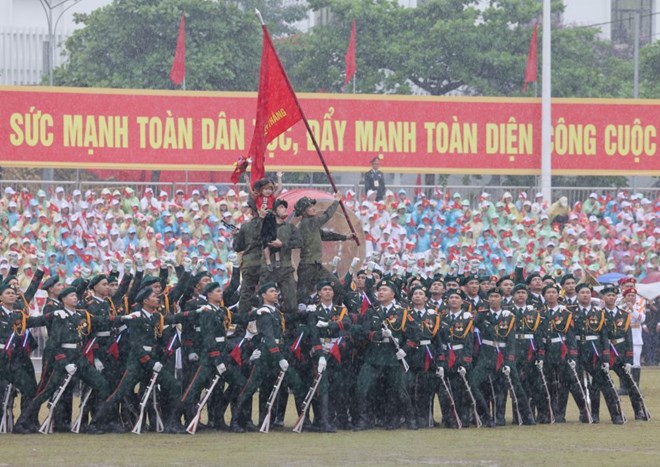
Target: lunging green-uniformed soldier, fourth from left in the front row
column 214, row 320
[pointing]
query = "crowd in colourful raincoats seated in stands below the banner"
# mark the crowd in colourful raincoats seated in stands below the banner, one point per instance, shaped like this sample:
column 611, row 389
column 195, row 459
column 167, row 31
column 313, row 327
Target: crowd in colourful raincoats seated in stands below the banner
column 80, row 234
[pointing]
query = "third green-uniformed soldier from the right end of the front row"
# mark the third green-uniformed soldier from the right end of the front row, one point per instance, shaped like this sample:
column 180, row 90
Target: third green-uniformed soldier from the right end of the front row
column 561, row 354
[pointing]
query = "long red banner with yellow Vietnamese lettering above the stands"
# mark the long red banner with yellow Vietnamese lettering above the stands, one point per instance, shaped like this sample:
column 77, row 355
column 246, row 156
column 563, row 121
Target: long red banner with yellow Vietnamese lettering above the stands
column 177, row 130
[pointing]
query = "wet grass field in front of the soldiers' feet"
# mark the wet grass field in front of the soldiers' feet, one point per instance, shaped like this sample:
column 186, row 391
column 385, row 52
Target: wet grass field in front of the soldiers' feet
column 573, row 443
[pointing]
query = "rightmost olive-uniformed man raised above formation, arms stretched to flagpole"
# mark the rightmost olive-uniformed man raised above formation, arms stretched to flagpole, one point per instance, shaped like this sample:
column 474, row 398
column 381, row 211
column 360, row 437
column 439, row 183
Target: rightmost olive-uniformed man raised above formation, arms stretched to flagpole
column 310, row 268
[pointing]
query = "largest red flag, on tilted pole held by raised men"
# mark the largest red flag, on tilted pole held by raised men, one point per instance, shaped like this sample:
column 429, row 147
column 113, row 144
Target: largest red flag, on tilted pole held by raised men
column 277, row 106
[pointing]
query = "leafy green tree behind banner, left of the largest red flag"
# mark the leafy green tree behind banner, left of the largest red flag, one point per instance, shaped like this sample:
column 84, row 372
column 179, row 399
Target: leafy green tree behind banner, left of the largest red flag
column 130, row 44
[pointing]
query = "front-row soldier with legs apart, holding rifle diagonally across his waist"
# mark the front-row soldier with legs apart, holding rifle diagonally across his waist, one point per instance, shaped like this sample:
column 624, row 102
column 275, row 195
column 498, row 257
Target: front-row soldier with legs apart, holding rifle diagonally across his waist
column 383, row 324
